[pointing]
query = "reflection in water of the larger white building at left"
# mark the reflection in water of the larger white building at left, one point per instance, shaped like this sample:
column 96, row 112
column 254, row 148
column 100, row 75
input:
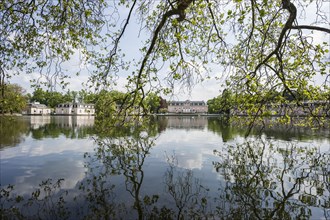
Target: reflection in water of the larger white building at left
column 74, row 121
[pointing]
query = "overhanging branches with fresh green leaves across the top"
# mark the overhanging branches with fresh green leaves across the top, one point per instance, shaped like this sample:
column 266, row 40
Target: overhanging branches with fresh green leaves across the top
column 258, row 46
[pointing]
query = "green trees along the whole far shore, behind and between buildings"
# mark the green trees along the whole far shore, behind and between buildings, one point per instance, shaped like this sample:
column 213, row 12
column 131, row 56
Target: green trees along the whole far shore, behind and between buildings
column 16, row 99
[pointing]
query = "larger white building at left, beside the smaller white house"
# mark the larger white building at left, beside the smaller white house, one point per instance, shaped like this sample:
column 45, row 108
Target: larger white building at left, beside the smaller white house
column 75, row 109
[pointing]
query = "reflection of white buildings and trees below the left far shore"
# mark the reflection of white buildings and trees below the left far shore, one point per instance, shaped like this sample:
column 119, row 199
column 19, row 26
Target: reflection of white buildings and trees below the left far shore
column 14, row 130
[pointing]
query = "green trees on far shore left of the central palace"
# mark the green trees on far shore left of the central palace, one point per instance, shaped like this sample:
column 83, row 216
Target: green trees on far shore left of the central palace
column 16, row 99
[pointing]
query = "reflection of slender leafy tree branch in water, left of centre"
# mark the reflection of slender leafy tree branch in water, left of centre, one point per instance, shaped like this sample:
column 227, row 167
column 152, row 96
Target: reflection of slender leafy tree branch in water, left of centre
column 124, row 156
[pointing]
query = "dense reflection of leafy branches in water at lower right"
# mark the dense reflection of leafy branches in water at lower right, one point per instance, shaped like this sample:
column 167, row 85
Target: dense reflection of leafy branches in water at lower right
column 268, row 181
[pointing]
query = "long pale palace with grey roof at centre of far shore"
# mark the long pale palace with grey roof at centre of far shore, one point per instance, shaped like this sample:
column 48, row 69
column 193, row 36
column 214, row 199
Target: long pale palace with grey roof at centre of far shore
column 187, row 107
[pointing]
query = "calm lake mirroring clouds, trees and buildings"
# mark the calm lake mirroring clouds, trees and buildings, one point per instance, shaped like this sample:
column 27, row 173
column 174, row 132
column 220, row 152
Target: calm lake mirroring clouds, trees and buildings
column 175, row 167
